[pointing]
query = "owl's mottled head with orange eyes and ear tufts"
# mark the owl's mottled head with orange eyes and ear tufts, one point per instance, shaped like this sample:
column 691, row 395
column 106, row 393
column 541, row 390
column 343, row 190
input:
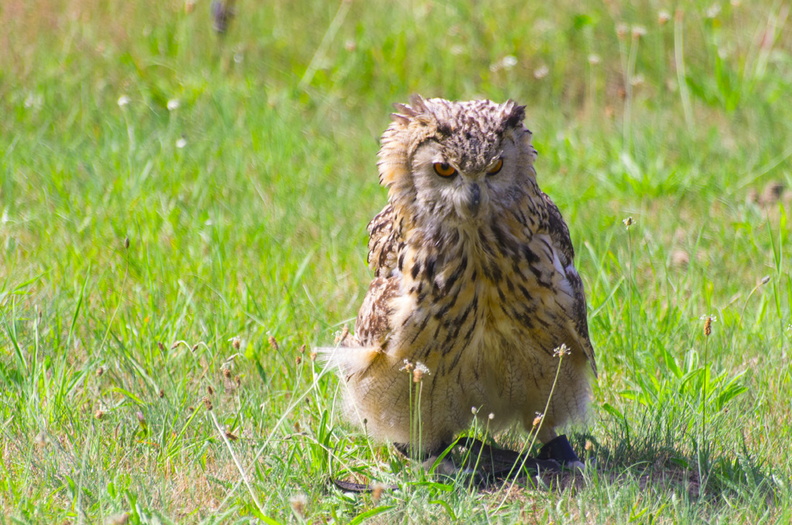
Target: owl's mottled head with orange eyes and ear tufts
column 456, row 162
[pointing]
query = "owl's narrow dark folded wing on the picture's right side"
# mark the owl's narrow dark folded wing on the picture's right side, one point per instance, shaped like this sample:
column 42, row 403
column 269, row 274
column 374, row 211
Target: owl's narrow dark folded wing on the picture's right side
column 575, row 304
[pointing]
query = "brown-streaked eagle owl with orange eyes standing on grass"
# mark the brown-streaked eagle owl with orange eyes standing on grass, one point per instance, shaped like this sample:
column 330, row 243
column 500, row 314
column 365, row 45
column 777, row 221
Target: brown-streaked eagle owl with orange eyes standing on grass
column 474, row 284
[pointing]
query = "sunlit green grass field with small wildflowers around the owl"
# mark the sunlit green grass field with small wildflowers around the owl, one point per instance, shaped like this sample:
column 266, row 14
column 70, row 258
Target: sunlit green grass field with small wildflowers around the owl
column 182, row 218
